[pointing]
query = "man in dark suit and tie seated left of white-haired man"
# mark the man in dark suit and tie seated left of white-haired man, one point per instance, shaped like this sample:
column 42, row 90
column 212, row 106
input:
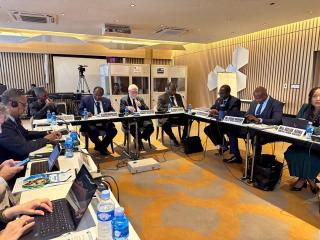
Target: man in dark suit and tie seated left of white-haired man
column 95, row 105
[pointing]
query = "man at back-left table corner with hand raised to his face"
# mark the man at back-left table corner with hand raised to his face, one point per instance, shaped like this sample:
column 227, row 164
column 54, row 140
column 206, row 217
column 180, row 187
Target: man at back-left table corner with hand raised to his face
column 39, row 108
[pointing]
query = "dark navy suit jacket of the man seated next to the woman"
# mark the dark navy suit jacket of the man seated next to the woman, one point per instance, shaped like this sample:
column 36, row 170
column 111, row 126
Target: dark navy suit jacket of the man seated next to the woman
column 272, row 114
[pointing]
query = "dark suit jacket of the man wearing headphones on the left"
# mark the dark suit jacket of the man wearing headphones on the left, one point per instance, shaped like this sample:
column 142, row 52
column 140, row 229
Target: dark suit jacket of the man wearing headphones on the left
column 16, row 142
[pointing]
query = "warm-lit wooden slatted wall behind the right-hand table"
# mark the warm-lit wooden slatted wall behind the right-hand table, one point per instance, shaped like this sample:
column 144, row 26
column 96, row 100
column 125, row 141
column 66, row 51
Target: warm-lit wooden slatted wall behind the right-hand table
column 278, row 56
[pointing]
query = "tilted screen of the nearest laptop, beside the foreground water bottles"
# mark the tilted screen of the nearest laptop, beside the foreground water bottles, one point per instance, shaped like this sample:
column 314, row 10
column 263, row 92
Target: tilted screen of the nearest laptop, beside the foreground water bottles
column 80, row 194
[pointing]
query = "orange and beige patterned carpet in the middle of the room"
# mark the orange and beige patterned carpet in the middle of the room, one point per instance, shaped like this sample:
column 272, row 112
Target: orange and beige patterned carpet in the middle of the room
column 199, row 197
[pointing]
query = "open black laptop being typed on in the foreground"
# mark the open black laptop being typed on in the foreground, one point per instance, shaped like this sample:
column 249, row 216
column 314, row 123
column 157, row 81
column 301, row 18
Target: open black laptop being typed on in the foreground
column 67, row 212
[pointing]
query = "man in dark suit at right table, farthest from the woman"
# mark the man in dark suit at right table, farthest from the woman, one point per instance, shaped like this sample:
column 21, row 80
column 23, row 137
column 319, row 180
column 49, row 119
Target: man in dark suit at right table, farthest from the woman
column 231, row 106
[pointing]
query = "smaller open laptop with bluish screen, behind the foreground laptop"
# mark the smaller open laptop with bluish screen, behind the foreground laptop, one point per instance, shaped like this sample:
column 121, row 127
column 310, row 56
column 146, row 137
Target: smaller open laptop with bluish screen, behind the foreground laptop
column 47, row 166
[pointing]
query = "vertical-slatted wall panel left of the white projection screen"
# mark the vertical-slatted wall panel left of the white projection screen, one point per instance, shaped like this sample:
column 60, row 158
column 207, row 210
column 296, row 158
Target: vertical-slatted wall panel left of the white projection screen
column 19, row 70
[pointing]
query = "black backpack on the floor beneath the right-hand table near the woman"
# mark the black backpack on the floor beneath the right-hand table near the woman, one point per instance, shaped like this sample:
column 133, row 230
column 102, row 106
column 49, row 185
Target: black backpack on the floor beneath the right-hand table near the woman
column 267, row 172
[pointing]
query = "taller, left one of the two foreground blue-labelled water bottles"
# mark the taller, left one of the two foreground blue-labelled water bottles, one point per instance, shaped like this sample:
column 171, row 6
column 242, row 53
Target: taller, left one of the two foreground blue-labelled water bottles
column 105, row 214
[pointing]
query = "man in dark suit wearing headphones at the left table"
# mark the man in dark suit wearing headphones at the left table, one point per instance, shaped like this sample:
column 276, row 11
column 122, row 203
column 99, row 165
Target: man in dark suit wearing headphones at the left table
column 16, row 142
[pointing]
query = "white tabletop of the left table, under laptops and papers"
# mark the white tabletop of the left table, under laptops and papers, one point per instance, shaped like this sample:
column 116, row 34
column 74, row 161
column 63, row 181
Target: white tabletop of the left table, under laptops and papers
column 87, row 228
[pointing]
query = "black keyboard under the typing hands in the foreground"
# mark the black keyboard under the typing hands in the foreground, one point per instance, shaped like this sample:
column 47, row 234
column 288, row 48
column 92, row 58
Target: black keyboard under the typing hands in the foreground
column 57, row 222
